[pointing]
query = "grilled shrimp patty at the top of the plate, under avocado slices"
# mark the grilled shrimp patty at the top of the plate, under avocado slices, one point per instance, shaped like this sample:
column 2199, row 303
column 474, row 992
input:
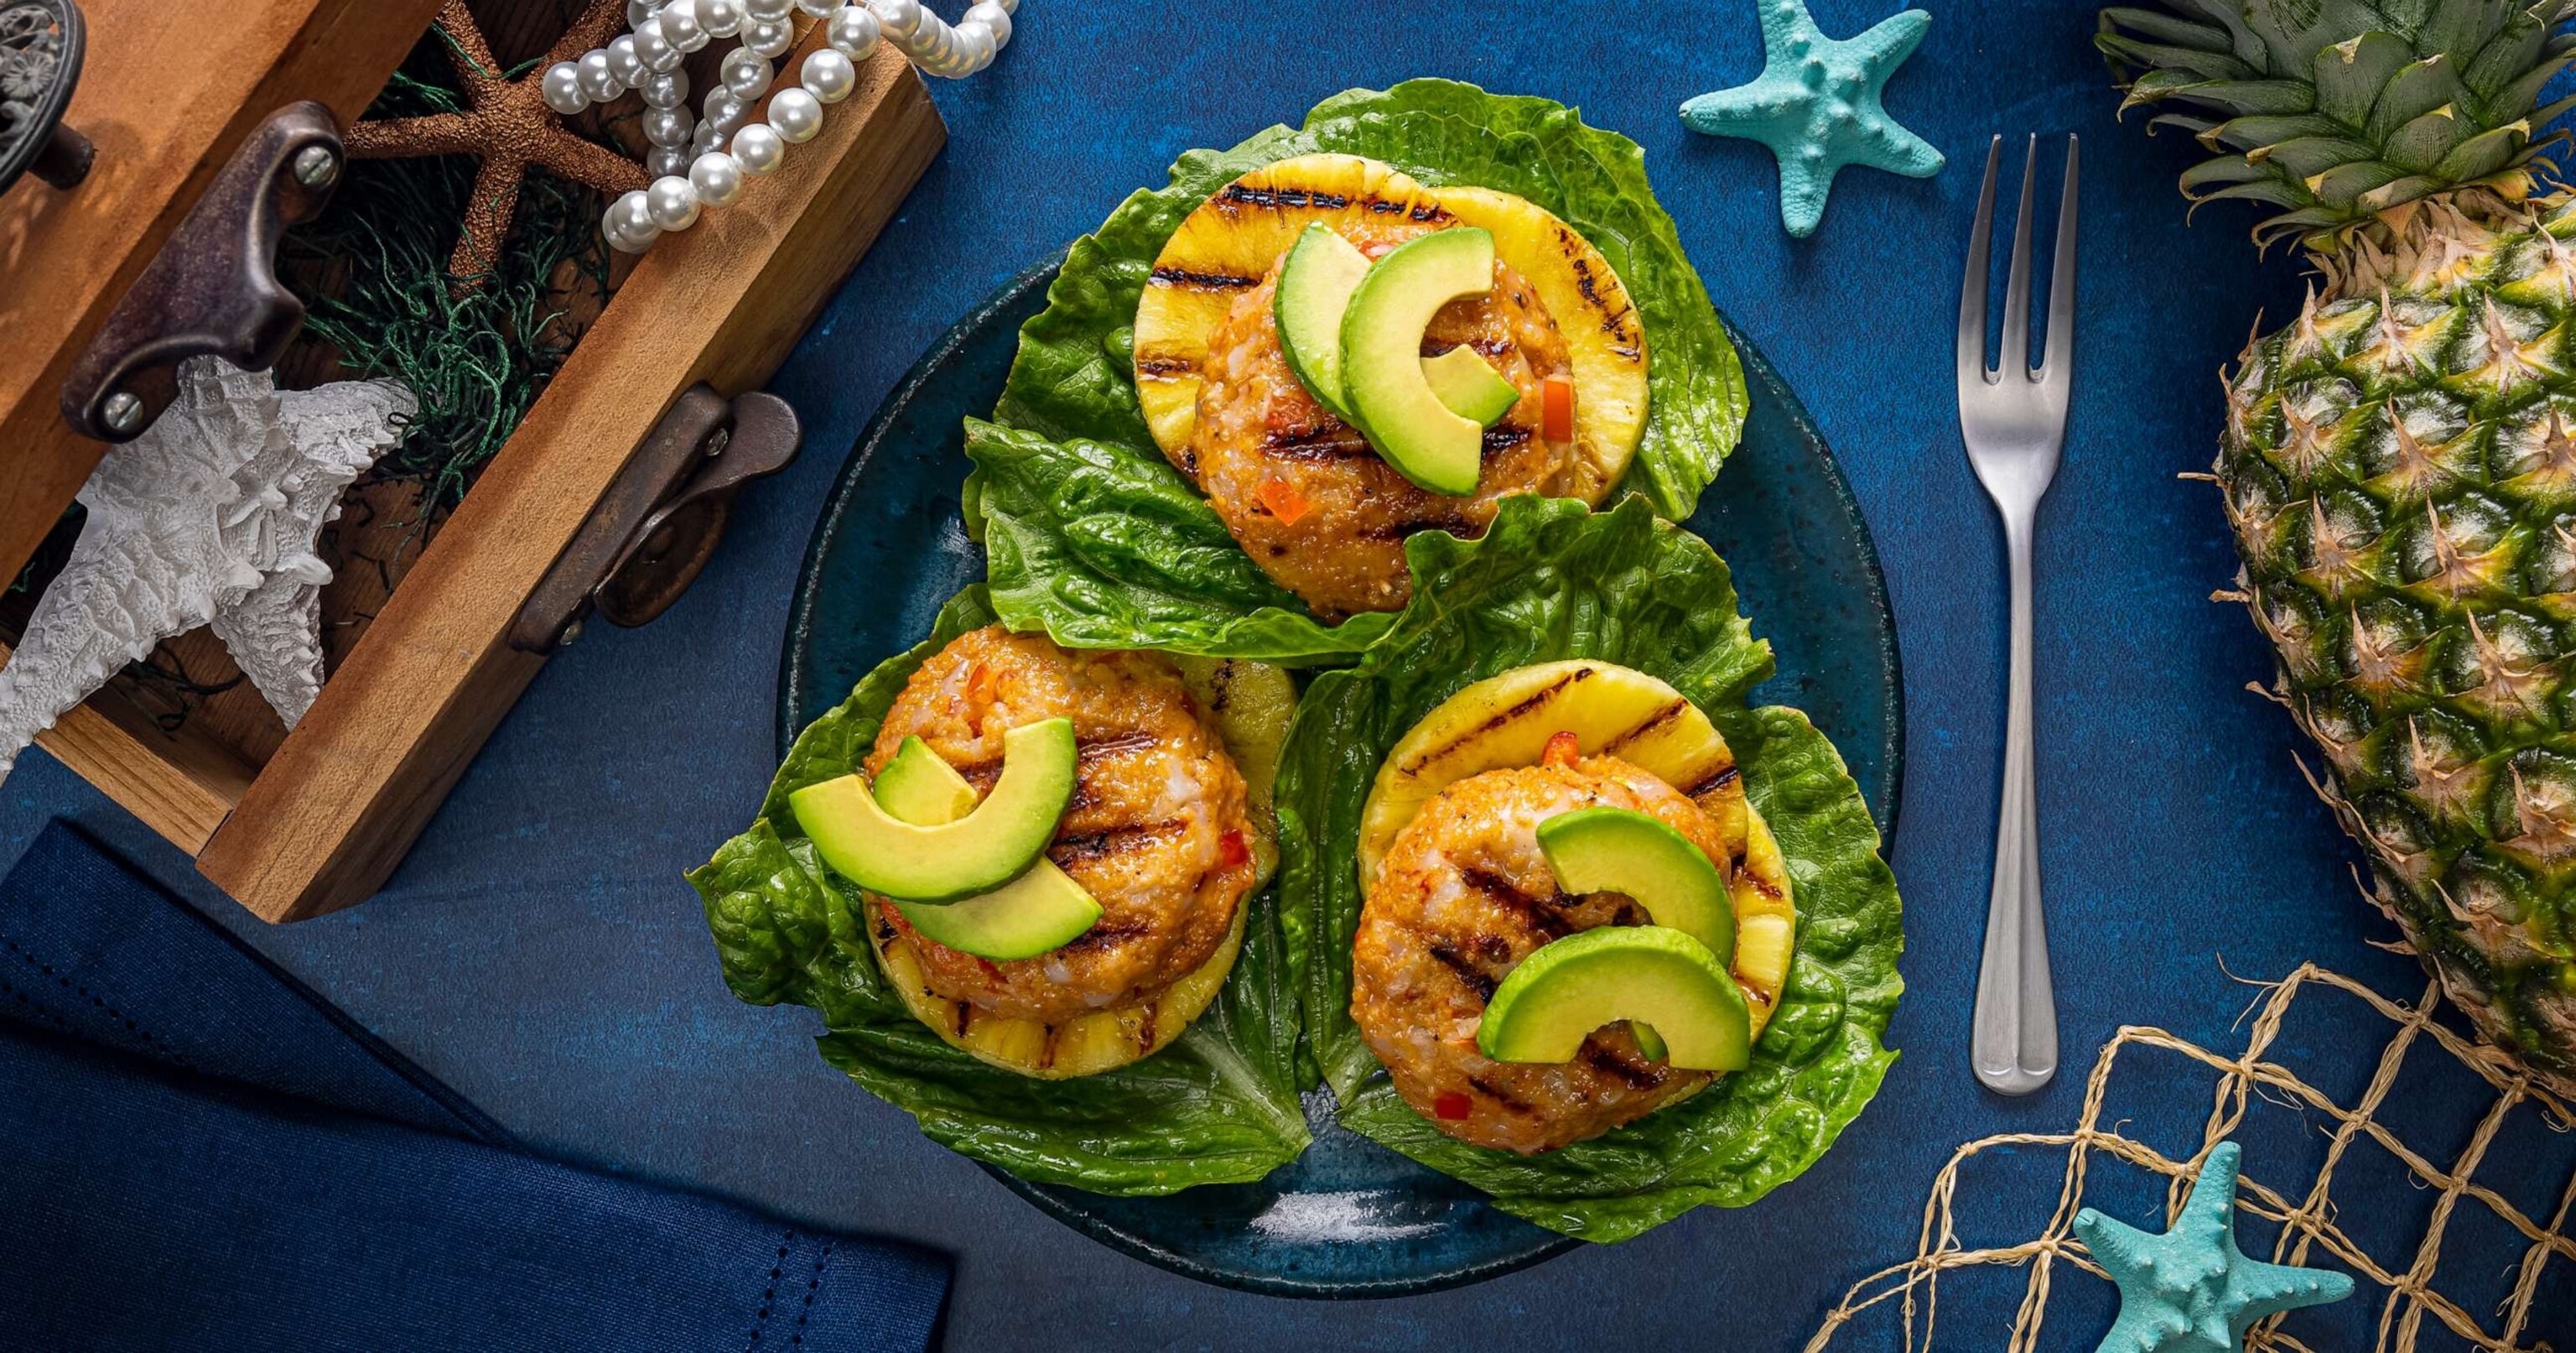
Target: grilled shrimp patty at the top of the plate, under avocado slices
column 1305, row 494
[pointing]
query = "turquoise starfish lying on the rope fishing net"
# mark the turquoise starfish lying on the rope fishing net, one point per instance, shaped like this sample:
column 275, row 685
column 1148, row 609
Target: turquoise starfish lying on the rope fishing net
column 2191, row 1290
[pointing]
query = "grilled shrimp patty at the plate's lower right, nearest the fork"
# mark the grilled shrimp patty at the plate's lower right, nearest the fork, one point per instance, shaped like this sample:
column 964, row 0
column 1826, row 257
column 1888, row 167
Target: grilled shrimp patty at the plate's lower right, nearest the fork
column 1459, row 903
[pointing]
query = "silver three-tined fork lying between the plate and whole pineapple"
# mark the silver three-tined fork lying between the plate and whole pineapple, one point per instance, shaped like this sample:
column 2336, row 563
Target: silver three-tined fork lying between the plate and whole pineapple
column 2013, row 421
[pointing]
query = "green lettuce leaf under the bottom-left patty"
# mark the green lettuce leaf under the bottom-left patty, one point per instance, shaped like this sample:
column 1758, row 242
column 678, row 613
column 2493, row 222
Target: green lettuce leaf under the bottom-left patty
column 1217, row 1107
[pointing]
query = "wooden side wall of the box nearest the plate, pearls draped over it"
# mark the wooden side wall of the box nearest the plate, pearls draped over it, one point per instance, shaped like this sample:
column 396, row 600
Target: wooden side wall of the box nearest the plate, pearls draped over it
column 359, row 780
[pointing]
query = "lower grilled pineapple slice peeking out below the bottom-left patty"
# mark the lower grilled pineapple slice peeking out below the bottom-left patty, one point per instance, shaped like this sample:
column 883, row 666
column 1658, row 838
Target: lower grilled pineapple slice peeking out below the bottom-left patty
column 1094, row 1045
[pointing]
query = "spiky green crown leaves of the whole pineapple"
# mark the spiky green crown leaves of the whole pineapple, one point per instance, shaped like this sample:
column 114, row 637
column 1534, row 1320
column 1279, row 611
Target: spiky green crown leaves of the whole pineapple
column 2345, row 110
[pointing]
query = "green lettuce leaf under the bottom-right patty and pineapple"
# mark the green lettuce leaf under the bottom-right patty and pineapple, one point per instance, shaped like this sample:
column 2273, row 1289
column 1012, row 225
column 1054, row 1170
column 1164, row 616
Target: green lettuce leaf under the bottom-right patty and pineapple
column 1552, row 581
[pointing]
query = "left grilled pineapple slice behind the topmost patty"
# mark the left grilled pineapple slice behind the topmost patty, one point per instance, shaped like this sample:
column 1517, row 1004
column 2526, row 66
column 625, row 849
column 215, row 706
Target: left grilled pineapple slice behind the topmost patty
column 1227, row 246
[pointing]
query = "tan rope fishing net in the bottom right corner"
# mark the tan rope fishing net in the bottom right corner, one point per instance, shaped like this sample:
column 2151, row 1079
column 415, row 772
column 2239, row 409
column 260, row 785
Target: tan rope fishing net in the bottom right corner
column 2469, row 1192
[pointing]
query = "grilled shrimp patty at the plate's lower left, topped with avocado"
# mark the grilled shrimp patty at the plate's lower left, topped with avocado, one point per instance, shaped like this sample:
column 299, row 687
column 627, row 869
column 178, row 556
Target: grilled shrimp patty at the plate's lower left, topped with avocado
column 1155, row 831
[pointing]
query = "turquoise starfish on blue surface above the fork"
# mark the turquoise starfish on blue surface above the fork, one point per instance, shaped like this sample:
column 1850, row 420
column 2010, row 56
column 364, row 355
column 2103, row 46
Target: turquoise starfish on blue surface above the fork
column 1817, row 107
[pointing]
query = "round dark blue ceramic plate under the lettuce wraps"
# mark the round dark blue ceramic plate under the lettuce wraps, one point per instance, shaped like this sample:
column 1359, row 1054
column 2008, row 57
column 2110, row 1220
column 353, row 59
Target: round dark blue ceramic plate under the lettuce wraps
column 1349, row 1218
